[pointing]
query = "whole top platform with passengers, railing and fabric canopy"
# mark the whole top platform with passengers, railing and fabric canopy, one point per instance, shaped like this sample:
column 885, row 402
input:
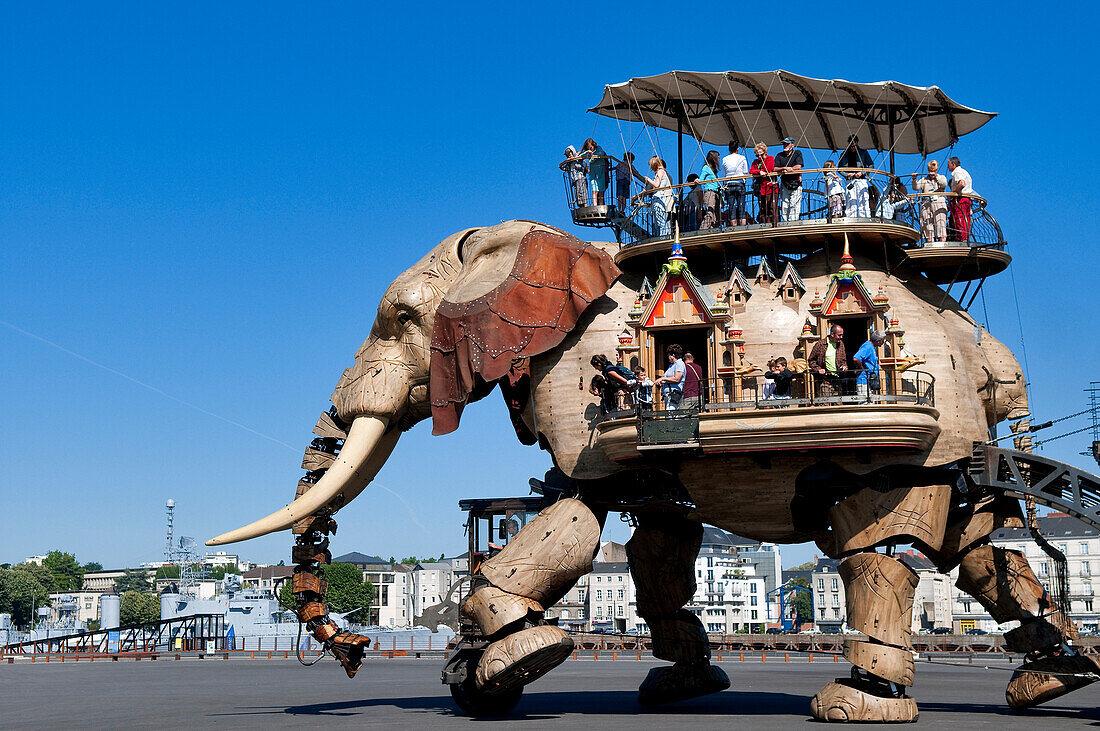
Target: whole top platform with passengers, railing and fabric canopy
column 800, row 164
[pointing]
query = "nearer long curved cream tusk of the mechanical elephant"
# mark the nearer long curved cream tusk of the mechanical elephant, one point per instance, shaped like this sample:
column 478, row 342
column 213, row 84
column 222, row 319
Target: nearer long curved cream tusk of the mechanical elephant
column 366, row 450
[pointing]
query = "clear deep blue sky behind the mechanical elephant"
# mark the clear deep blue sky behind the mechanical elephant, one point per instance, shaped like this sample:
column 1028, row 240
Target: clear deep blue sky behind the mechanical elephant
column 207, row 201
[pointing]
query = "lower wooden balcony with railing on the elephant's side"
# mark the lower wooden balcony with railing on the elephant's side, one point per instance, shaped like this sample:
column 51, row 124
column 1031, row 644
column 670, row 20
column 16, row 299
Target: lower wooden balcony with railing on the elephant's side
column 901, row 418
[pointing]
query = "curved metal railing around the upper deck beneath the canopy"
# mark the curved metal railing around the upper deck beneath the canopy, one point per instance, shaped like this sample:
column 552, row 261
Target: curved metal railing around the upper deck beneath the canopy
column 746, row 203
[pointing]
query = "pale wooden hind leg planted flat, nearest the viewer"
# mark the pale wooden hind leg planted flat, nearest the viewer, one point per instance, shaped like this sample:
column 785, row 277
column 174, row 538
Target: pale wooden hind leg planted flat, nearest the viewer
column 879, row 599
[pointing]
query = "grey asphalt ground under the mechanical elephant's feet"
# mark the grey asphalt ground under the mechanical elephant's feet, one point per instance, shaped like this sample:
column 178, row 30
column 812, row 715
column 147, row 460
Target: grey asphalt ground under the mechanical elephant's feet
column 406, row 693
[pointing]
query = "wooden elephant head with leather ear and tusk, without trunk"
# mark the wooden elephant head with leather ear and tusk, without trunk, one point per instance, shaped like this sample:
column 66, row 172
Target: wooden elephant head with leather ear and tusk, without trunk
column 466, row 317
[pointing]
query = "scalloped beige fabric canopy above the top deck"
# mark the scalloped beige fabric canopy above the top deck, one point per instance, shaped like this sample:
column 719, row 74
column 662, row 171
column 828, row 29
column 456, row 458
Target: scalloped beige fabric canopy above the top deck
column 724, row 107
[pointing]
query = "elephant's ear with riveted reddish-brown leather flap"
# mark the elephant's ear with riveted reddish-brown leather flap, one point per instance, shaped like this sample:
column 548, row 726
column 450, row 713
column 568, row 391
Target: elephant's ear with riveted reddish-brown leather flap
column 522, row 291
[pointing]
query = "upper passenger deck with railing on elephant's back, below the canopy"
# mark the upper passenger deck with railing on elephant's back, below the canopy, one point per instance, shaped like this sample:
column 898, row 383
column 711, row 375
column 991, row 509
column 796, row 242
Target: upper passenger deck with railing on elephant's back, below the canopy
column 886, row 220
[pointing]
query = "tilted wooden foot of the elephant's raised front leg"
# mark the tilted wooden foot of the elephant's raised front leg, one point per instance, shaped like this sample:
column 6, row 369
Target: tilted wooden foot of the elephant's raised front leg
column 518, row 660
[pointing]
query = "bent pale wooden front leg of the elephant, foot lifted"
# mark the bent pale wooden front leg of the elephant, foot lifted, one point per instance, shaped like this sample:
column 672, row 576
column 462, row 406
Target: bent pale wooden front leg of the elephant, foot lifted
column 529, row 575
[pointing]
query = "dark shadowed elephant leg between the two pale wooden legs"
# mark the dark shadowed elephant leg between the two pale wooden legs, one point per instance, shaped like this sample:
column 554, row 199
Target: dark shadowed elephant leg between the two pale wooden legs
column 662, row 555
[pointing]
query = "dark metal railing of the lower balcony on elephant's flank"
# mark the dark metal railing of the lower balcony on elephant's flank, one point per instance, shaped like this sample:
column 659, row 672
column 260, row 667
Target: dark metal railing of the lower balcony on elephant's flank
column 720, row 394
